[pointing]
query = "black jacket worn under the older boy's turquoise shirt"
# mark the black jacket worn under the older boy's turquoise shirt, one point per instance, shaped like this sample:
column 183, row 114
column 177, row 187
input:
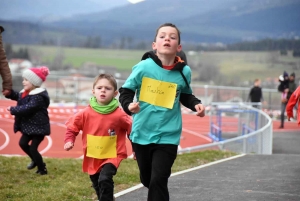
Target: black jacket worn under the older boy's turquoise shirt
column 188, row 100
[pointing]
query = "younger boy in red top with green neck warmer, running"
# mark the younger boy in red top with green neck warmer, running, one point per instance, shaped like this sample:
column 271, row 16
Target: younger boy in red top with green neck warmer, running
column 104, row 126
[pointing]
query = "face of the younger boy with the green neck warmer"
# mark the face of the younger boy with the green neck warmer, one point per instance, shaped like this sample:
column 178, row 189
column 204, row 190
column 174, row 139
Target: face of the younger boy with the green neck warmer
column 104, row 91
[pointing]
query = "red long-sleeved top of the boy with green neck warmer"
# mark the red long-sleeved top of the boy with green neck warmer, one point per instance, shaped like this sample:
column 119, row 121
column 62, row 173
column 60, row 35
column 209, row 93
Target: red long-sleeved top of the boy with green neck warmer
column 90, row 122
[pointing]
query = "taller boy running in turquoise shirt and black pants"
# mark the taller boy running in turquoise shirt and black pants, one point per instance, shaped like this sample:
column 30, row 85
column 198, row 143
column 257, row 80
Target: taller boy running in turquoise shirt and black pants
column 161, row 81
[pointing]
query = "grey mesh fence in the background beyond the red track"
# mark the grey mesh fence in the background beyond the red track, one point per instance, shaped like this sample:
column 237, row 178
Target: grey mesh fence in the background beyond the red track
column 63, row 88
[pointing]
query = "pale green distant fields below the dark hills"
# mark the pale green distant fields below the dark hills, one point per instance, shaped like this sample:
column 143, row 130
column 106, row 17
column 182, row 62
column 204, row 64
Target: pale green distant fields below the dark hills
column 233, row 65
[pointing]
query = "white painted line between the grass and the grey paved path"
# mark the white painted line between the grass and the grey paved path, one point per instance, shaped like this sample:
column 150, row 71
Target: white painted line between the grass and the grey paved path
column 178, row 173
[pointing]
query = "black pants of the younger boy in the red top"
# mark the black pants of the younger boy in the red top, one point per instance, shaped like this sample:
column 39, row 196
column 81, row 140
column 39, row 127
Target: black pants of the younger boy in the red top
column 103, row 182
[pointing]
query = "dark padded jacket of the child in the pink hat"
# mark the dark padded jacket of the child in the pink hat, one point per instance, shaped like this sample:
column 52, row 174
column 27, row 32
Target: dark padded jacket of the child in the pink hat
column 31, row 114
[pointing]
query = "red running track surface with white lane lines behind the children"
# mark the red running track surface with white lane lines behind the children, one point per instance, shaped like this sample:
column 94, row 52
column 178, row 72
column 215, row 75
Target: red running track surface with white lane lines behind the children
column 195, row 132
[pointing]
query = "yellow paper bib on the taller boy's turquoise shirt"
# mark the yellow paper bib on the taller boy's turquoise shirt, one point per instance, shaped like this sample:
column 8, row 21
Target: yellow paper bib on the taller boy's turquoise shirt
column 157, row 92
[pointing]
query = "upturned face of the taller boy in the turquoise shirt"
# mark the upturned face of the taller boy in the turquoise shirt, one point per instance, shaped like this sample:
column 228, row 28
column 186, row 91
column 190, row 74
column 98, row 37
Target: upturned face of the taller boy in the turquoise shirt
column 166, row 41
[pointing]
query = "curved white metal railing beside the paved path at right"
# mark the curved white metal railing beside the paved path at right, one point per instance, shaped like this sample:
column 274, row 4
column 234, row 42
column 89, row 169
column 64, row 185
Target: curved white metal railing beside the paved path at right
column 257, row 139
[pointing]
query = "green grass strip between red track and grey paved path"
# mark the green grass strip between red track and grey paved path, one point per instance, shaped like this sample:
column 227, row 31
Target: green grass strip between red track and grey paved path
column 65, row 180
